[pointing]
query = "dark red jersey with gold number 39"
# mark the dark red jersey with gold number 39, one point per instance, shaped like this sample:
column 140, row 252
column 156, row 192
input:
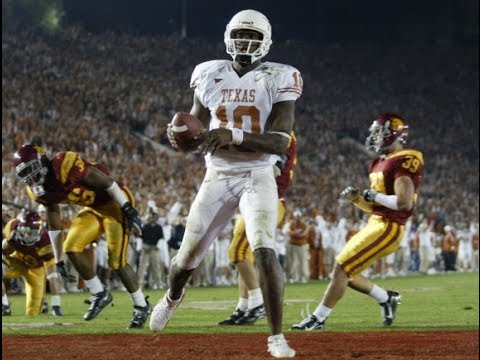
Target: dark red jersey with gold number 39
column 383, row 172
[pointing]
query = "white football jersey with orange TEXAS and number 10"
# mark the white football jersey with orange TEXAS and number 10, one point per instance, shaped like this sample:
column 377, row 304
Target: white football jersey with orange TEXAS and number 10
column 244, row 103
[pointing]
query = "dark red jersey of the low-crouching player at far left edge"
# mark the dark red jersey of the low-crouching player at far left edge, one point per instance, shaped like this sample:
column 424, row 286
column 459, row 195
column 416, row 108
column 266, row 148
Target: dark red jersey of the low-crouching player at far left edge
column 33, row 256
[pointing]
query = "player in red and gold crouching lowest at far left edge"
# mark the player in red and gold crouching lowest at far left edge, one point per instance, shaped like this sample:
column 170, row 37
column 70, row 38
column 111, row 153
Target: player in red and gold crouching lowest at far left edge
column 29, row 253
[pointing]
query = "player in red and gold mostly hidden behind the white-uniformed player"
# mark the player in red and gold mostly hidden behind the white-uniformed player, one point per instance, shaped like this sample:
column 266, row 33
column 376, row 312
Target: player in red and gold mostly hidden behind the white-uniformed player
column 250, row 307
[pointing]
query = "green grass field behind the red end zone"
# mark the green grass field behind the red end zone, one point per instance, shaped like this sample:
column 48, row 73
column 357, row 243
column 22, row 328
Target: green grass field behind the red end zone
column 435, row 302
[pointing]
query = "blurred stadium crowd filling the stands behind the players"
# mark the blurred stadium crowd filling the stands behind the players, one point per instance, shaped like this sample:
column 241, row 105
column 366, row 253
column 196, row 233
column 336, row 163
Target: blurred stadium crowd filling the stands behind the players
column 109, row 97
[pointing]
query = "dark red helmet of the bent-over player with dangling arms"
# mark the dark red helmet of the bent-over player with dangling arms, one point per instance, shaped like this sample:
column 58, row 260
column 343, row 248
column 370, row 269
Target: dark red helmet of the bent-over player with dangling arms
column 30, row 164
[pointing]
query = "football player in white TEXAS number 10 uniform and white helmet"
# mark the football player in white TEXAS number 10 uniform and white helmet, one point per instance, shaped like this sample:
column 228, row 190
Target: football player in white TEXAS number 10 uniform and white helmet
column 248, row 107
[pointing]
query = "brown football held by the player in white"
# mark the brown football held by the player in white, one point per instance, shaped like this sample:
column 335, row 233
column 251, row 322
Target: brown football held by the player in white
column 184, row 130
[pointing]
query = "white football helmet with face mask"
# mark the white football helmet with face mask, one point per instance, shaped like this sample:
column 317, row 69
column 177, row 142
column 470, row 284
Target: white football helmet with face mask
column 248, row 20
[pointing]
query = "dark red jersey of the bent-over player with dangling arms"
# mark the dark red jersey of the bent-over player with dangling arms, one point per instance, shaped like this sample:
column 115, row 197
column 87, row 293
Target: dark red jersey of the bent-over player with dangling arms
column 67, row 187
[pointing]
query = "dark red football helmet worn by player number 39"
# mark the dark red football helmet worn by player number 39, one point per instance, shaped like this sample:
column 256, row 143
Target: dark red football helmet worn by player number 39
column 386, row 130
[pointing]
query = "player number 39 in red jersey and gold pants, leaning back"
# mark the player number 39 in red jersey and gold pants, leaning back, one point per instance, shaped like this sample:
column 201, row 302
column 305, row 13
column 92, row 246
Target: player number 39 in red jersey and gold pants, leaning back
column 394, row 181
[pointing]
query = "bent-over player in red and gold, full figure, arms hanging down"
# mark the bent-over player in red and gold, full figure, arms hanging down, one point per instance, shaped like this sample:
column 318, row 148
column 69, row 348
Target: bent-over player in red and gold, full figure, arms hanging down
column 108, row 208
